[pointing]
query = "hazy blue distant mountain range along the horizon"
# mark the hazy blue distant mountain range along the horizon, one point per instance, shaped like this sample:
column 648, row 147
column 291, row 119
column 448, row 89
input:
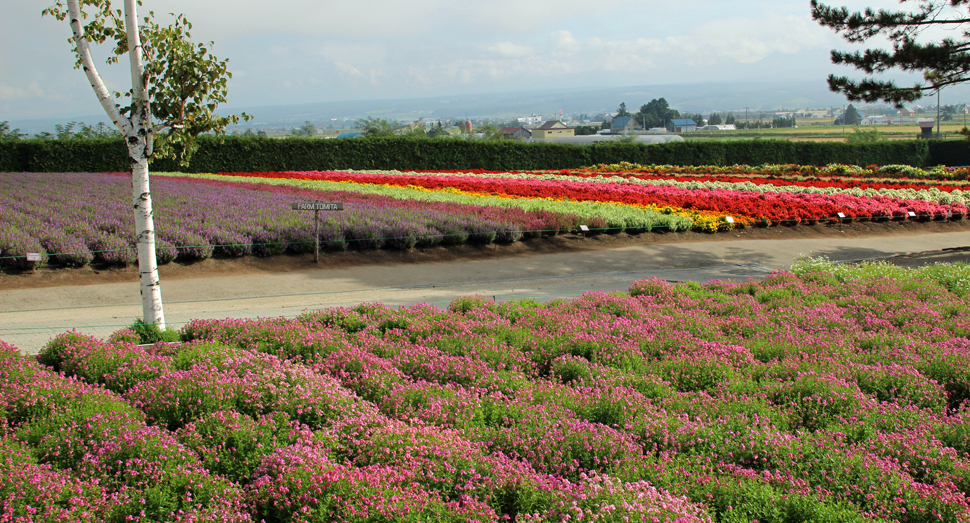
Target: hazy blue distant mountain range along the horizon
column 703, row 98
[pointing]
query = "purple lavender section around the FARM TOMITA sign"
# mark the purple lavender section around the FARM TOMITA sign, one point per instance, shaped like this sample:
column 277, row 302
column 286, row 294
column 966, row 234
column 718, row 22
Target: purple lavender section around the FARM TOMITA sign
column 74, row 219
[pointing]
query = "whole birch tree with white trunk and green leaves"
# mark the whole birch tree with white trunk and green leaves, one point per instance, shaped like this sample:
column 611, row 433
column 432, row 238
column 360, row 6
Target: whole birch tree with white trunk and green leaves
column 176, row 86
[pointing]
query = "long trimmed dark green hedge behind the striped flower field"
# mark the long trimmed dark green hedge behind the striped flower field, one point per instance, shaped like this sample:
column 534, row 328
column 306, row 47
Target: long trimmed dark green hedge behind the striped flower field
column 268, row 154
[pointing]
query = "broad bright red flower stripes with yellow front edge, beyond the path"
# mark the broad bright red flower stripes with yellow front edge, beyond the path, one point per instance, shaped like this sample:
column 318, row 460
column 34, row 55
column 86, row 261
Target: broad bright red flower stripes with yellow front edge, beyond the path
column 746, row 200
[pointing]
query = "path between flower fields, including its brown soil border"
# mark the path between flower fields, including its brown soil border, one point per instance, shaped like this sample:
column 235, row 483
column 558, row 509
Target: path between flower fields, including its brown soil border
column 34, row 307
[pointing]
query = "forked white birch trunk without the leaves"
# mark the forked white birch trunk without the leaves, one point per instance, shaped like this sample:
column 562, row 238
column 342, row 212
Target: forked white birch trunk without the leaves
column 139, row 136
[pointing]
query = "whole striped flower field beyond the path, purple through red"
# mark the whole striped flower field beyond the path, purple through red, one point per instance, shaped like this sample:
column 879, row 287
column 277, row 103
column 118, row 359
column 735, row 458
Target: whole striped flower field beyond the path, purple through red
column 76, row 219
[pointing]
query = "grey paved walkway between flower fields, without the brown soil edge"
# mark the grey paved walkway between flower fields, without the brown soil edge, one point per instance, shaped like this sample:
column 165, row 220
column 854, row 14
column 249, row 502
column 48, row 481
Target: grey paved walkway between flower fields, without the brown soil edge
column 30, row 317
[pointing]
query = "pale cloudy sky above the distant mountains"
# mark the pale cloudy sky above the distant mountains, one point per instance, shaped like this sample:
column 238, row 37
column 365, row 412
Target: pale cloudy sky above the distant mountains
column 304, row 51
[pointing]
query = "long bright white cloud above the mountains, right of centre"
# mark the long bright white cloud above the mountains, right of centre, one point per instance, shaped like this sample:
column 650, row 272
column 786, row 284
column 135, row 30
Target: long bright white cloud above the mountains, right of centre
column 560, row 53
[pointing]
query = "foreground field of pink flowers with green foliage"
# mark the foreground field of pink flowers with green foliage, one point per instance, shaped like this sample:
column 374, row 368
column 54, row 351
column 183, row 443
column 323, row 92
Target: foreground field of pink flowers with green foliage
column 831, row 393
